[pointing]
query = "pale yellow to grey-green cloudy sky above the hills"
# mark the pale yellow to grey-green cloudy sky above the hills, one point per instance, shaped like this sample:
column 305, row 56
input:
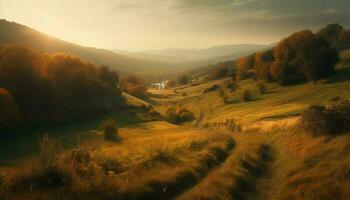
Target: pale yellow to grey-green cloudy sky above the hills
column 138, row 25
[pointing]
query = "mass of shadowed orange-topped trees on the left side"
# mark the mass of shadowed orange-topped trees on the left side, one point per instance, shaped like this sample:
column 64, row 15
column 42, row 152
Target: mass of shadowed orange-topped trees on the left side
column 39, row 89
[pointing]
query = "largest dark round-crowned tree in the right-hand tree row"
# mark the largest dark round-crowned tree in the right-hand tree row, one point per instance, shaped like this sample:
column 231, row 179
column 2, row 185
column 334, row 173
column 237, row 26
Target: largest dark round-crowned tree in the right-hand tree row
column 303, row 56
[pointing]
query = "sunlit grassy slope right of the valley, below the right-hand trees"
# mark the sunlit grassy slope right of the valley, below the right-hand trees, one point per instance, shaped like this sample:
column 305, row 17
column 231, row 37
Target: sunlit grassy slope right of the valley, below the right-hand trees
column 301, row 166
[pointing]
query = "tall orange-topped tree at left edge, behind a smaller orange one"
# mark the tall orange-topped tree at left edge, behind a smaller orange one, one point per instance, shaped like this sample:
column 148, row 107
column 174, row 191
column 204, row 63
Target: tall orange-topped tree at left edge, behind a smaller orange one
column 20, row 74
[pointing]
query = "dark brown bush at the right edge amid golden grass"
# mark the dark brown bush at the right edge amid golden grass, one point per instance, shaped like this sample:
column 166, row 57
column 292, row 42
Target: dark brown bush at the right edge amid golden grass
column 332, row 119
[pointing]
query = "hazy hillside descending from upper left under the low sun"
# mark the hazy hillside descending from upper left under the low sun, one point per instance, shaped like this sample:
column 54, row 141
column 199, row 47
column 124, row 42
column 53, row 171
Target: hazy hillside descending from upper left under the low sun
column 11, row 32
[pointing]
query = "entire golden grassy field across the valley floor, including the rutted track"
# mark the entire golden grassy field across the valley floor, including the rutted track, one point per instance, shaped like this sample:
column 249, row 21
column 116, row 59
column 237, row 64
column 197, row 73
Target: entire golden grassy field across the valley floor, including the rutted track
column 269, row 158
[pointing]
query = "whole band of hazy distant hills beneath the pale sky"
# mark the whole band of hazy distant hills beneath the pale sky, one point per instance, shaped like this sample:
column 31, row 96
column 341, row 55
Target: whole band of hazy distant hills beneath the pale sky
column 149, row 63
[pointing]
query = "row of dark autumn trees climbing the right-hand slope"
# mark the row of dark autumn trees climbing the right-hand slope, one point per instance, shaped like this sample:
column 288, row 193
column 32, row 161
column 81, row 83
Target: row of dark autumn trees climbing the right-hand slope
column 303, row 56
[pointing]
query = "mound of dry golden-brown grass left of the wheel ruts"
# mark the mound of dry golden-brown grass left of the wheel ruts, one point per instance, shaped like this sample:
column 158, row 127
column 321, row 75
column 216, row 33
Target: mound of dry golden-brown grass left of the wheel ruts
column 147, row 164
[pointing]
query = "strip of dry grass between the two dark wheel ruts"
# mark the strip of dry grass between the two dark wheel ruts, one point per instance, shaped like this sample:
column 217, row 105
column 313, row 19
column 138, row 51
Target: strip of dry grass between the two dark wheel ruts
column 237, row 177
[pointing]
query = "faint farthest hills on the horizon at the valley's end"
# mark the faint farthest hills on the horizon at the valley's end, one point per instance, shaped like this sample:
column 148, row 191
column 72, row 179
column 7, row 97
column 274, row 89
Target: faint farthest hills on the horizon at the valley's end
column 217, row 53
